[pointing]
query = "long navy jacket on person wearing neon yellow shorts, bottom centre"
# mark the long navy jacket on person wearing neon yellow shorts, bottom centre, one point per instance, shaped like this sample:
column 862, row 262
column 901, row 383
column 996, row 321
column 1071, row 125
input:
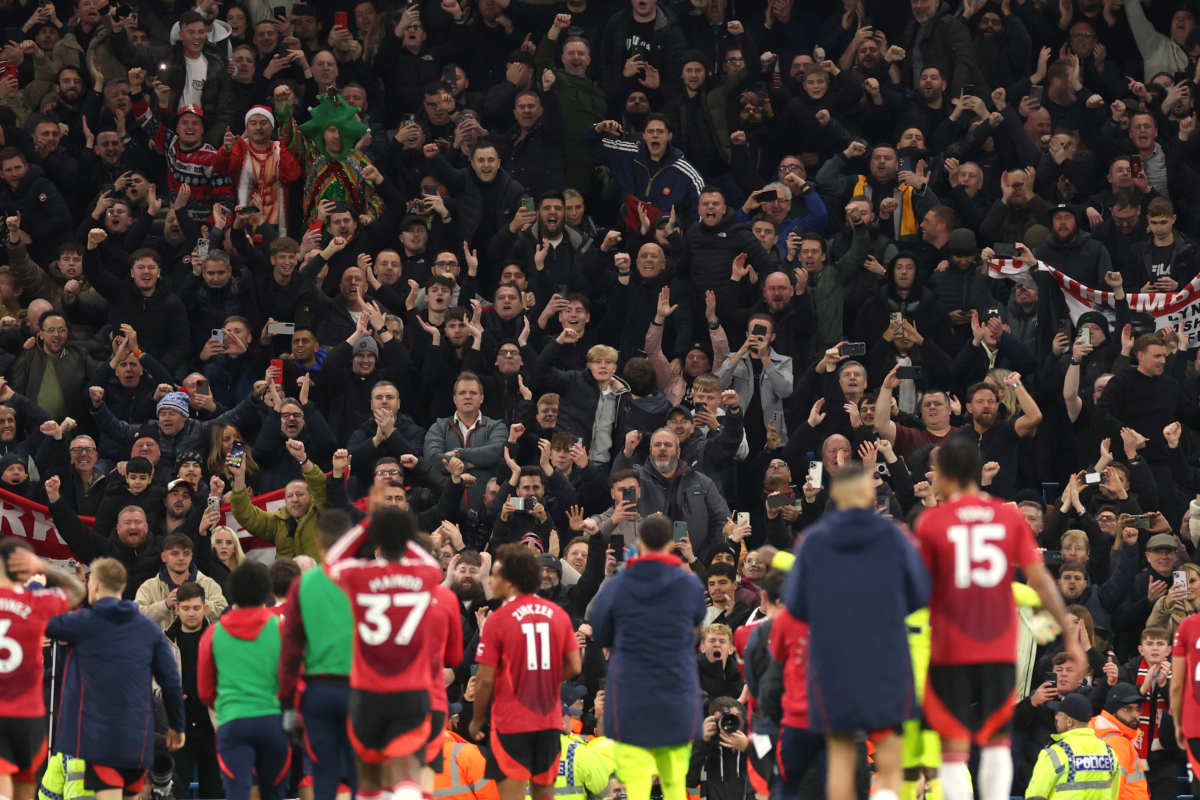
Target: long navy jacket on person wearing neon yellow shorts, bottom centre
column 649, row 615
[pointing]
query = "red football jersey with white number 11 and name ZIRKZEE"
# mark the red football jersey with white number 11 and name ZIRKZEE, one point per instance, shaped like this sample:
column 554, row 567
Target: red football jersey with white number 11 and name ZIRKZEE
column 525, row 640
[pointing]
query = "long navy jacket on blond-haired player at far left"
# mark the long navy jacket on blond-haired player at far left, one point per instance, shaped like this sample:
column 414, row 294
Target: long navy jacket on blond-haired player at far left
column 107, row 712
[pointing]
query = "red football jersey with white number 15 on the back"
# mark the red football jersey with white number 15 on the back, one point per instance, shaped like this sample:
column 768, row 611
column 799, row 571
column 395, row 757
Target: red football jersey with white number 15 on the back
column 973, row 548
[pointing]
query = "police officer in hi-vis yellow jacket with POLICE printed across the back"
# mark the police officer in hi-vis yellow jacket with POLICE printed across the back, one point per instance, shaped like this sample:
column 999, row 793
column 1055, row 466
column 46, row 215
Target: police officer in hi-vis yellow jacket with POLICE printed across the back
column 1078, row 765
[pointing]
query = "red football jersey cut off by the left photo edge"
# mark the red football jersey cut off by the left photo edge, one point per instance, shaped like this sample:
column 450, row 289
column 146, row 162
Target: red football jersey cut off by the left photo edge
column 25, row 616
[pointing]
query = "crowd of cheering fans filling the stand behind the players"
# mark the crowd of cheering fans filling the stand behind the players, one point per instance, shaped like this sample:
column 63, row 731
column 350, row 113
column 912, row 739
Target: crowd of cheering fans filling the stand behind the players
column 541, row 272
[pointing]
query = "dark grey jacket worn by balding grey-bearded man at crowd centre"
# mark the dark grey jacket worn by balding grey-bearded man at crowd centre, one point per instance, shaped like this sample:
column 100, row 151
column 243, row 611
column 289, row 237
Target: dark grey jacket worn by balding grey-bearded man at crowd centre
column 700, row 503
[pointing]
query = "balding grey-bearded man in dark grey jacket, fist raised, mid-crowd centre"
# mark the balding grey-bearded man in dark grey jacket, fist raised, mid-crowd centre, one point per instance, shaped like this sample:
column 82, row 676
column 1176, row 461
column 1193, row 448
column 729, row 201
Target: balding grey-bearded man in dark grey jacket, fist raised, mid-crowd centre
column 670, row 486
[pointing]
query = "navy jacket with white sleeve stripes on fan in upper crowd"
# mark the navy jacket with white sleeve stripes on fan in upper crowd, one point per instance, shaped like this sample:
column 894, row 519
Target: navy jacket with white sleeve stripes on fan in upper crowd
column 671, row 183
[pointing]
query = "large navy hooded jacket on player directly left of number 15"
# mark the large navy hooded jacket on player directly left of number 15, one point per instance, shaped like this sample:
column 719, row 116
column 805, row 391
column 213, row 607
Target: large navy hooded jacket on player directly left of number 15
column 860, row 666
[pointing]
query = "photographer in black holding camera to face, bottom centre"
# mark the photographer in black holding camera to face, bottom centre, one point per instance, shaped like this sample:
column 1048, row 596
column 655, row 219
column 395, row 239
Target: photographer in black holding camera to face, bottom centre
column 719, row 757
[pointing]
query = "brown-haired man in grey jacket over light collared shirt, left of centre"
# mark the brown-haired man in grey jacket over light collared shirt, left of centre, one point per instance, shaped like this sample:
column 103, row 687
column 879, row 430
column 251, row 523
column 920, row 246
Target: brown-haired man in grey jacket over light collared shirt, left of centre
column 469, row 436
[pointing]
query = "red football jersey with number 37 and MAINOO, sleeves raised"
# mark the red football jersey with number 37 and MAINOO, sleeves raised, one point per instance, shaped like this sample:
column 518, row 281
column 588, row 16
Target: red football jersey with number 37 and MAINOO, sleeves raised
column 389, row 603
